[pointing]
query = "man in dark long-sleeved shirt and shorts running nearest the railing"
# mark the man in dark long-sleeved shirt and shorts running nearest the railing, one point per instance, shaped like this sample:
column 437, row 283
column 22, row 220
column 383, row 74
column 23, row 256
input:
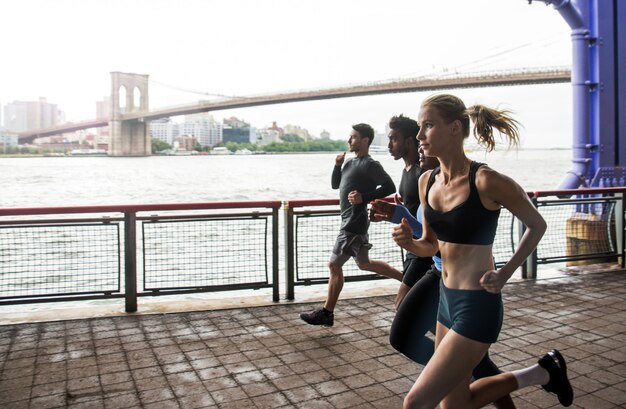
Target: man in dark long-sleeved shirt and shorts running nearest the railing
column 361, row 180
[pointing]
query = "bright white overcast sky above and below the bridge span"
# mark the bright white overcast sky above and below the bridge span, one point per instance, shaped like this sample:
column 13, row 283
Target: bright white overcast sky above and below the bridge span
column 65, row 49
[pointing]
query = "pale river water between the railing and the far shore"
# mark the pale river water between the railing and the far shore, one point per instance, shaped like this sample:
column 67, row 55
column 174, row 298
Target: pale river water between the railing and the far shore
column 84, row 181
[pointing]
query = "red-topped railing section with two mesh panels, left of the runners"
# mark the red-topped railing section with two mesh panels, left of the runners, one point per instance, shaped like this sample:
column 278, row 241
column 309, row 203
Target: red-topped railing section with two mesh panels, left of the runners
column 184, row 248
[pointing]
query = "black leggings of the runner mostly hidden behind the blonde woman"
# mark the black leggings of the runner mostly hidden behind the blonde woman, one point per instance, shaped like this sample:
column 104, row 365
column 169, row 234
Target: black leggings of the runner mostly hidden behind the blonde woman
column 416, row 316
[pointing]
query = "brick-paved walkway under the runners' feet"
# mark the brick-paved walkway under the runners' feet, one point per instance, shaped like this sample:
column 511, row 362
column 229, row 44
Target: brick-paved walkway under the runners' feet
column 264, row 357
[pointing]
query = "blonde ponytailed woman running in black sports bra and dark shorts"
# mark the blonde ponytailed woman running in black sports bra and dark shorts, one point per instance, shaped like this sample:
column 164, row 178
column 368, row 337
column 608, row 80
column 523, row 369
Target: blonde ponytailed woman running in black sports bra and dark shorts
column 462, row 201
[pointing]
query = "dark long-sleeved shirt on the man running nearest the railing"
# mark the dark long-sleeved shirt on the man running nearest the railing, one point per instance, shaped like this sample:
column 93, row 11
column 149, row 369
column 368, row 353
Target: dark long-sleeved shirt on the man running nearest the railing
column 366, row 176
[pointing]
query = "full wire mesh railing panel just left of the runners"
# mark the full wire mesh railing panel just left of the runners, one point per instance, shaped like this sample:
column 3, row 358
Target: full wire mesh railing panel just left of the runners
column 207, row 252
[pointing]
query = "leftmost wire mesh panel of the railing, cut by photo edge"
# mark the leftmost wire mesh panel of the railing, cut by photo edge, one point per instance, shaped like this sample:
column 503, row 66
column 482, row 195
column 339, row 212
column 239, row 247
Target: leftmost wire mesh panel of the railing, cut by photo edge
column 59, row 259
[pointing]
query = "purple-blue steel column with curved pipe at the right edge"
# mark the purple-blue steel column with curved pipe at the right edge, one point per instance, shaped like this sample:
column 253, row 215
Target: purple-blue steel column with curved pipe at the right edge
column 599, row 90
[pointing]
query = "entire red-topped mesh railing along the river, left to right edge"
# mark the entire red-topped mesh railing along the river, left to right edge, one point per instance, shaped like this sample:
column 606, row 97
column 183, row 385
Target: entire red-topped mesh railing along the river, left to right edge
column 50, row 254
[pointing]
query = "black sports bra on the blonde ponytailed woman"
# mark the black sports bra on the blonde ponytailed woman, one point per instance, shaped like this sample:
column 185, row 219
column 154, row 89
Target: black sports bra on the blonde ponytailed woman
column 468, row 223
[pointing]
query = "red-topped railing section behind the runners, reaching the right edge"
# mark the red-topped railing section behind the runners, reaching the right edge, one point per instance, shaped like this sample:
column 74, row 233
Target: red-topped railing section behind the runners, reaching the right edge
column 582, row 225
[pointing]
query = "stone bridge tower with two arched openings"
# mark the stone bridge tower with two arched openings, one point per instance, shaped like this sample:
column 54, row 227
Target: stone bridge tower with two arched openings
column 129, row 94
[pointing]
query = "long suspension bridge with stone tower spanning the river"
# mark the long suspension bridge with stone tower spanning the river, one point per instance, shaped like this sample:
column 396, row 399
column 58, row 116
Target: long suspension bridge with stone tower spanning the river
column 128, row 120
